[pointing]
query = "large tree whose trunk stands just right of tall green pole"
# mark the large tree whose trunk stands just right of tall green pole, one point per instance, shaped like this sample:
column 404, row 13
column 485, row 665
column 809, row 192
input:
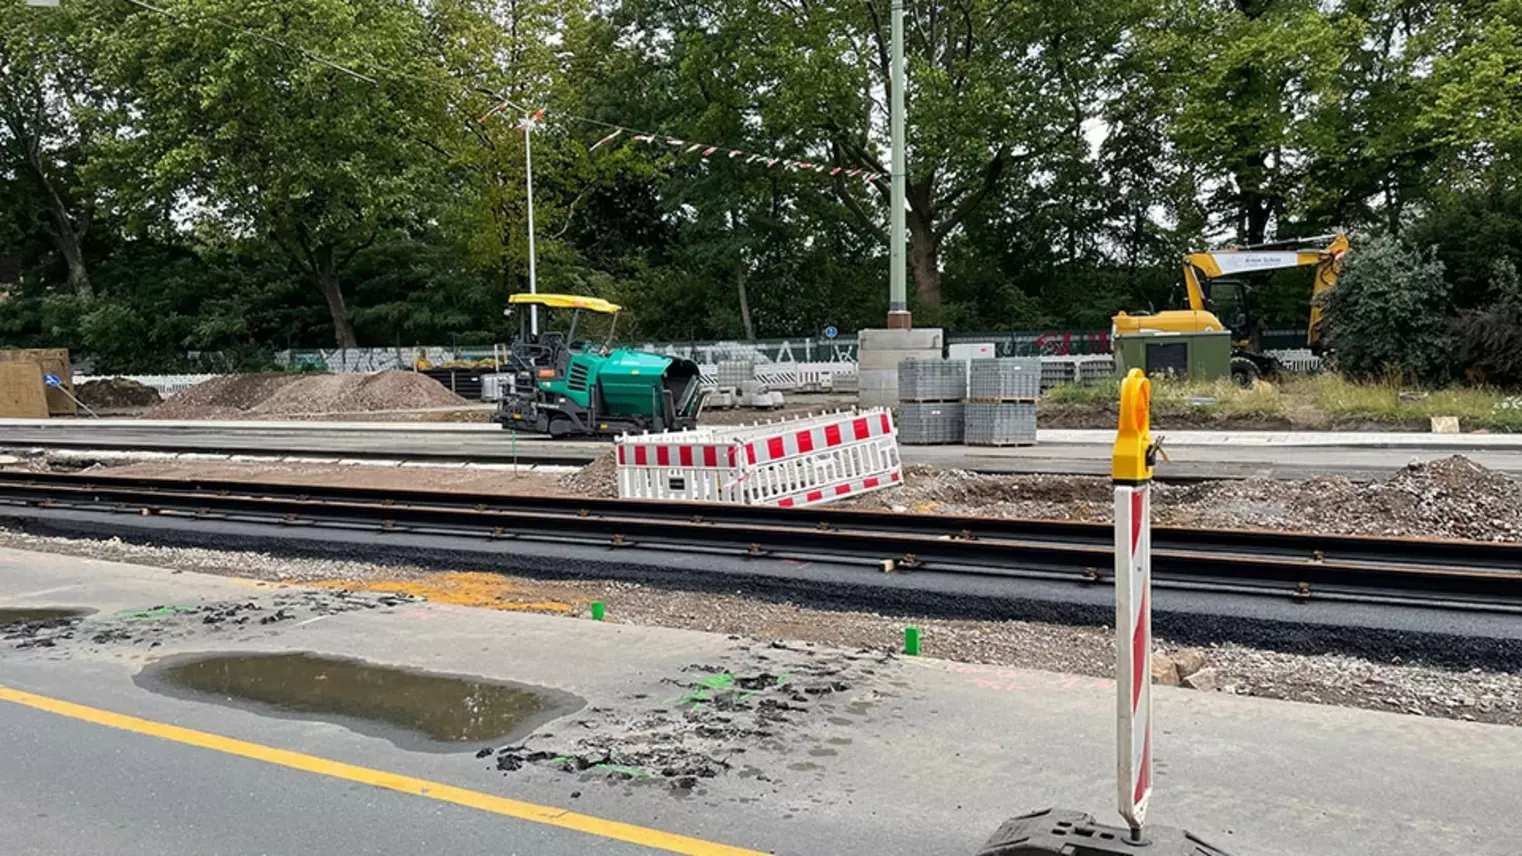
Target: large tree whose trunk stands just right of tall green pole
column 993, row 86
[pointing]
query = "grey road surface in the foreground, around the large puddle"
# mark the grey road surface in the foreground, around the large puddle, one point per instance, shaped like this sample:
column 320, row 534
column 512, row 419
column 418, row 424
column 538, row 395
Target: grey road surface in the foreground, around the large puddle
column 911, row 756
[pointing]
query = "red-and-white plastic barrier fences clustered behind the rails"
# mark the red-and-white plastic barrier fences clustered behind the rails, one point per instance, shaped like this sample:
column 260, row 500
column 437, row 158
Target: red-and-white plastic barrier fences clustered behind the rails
column 792, row 464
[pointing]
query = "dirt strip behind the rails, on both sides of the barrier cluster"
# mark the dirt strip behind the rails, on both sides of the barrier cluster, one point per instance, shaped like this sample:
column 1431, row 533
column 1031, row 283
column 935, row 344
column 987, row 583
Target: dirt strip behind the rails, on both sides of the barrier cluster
column 1447, row 499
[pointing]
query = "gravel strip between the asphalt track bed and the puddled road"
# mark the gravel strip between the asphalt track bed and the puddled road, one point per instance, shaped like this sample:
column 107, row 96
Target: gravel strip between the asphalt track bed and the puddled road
column 1413, row 689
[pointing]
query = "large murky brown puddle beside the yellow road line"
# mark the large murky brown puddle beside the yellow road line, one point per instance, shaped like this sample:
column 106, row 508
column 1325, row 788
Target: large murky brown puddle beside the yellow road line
column 416, row 711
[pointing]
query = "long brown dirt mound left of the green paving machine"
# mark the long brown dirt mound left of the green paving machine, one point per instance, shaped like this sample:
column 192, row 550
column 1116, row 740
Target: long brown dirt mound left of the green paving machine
column 273, row 395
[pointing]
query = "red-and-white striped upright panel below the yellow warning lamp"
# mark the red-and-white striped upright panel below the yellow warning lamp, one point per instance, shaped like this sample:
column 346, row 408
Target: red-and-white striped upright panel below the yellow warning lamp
column 1135, row 648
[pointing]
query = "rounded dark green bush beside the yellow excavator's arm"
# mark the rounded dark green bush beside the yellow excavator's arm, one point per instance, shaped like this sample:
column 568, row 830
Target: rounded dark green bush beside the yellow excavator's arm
column 1389, row 315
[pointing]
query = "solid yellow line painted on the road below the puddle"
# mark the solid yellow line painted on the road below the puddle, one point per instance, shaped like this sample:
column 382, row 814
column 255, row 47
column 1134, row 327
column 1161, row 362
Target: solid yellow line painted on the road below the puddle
column 381, row 779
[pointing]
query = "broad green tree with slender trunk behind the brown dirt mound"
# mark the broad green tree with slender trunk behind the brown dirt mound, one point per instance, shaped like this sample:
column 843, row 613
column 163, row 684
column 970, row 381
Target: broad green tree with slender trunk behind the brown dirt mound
column 313, row 130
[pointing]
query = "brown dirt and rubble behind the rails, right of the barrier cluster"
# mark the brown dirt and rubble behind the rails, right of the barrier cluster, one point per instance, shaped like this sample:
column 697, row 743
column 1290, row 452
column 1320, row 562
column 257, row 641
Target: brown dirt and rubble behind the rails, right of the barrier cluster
column 1444, row 499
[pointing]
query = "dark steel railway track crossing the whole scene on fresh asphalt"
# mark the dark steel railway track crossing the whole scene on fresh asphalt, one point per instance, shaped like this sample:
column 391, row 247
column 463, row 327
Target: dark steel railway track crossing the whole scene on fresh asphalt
column 1305, row 567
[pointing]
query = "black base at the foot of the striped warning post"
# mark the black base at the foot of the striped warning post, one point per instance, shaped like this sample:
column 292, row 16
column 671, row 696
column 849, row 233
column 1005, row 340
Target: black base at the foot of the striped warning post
column 1065, row 832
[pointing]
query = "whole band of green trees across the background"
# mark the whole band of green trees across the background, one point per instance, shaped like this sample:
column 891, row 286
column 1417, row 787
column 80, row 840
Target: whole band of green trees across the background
column 176, row 185
